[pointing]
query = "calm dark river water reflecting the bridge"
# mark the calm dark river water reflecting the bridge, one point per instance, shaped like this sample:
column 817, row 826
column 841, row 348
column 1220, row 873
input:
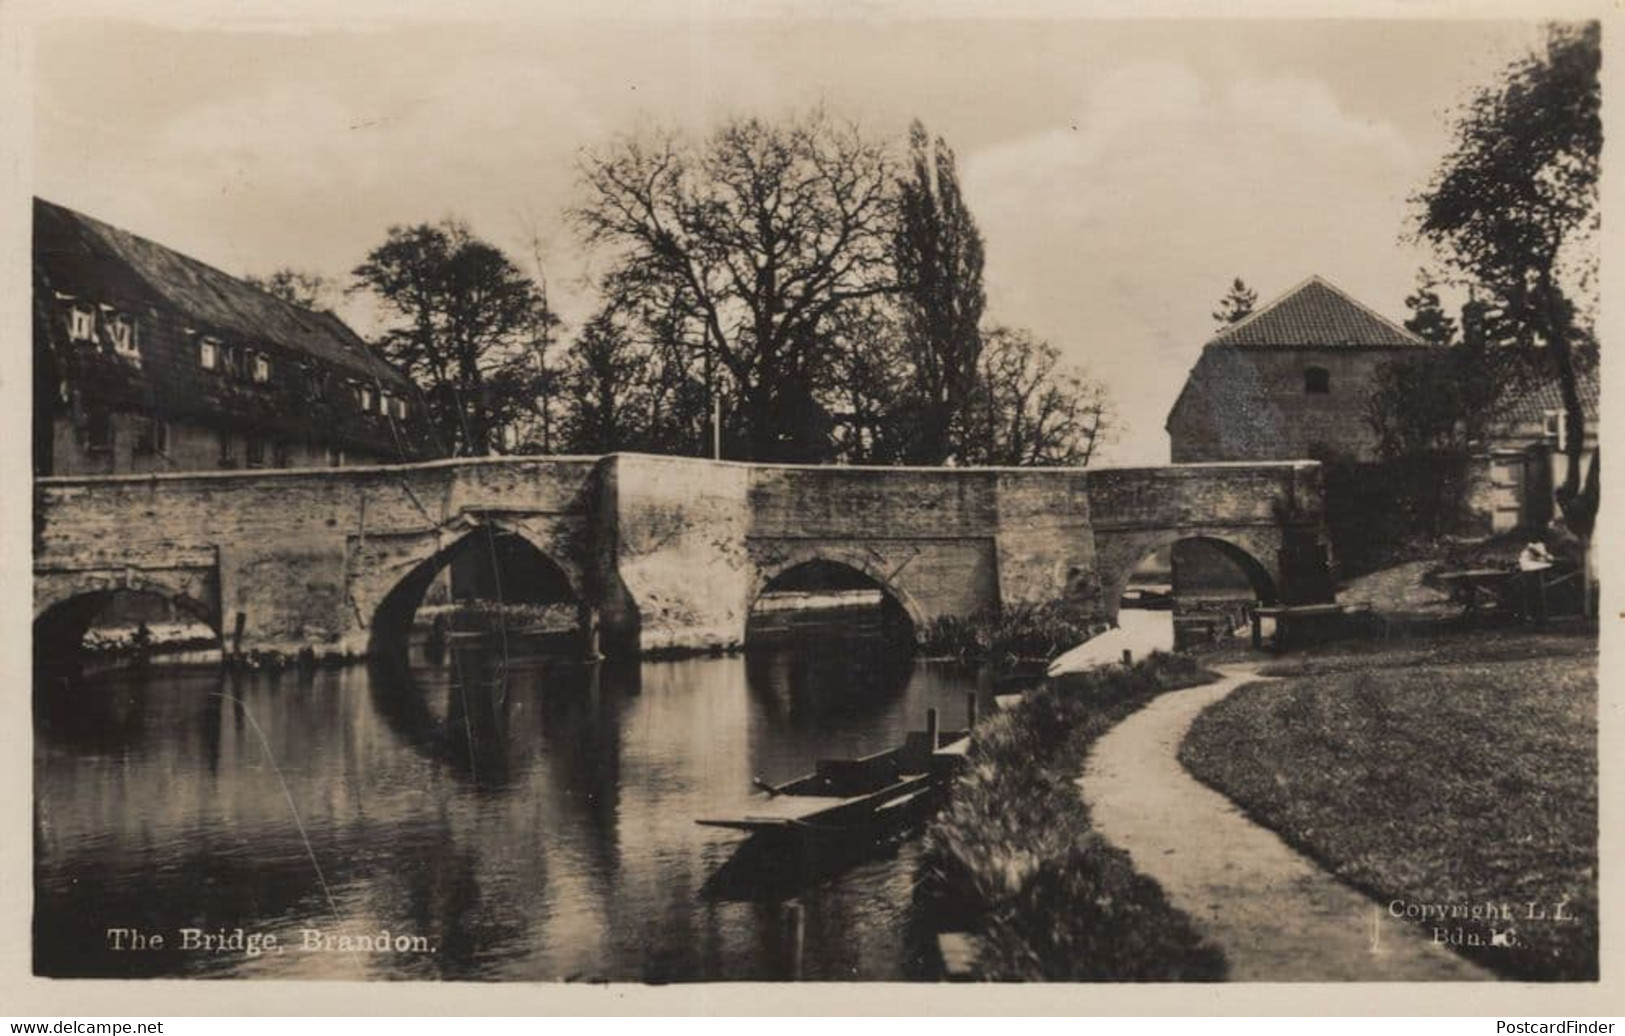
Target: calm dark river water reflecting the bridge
column 501, row 814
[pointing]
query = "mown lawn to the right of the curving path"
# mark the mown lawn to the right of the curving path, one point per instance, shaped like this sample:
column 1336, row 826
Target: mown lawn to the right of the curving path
column 1454, row 771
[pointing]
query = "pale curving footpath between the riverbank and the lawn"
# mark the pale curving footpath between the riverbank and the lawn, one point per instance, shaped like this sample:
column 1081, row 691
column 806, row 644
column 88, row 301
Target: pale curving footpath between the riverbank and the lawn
column 1275, row 913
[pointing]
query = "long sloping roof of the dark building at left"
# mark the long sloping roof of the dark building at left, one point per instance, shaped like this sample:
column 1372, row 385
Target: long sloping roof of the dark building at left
column 95, row 256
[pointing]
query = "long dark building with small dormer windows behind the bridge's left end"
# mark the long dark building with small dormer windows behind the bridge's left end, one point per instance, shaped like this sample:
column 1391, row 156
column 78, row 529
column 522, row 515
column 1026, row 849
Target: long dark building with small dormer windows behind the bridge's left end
column 149, row 360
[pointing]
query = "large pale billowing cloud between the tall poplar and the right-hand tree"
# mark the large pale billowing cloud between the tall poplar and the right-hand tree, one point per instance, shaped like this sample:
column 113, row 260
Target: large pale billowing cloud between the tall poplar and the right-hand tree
column 1116, row 231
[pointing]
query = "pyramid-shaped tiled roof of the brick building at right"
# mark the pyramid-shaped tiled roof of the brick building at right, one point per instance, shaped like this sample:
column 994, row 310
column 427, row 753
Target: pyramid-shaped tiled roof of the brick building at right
column 1320, row 316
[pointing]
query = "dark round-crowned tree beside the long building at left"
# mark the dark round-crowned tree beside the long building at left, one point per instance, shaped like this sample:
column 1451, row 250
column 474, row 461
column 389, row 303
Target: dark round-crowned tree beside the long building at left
column 467, row 319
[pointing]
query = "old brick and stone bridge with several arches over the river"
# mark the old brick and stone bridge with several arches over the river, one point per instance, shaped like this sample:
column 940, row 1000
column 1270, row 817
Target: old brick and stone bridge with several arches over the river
column 662, row 553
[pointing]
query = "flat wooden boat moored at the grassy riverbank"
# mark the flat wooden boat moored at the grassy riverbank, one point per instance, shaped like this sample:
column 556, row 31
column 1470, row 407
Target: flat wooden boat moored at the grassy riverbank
column 870, row 795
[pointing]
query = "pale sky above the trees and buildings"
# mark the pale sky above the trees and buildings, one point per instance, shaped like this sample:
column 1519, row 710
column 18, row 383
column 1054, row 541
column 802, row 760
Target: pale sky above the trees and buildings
column 1122, row 171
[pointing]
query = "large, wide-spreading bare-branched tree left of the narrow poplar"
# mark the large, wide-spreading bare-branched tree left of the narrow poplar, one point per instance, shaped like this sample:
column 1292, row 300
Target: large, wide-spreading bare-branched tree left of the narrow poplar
column 747, row 246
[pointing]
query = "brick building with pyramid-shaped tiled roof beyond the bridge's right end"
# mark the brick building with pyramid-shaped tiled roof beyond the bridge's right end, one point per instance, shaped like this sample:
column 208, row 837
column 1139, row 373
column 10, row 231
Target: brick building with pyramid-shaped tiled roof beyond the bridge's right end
column 1288, row 382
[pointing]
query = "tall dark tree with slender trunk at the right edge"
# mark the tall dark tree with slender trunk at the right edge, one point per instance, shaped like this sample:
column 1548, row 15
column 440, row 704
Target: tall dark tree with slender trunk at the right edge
column 1515, row 207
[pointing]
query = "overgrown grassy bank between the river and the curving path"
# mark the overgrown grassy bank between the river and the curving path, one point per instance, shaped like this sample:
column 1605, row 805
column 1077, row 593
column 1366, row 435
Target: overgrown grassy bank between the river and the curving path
column 1013, row 858
